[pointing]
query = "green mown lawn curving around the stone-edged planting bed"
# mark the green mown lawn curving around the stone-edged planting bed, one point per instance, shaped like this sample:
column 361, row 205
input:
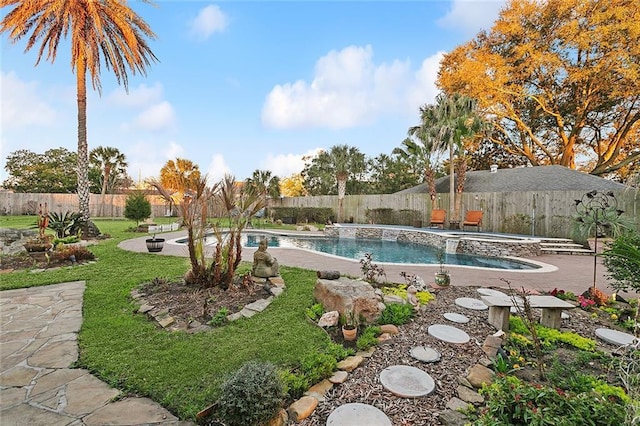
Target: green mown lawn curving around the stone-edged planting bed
column 180, row 371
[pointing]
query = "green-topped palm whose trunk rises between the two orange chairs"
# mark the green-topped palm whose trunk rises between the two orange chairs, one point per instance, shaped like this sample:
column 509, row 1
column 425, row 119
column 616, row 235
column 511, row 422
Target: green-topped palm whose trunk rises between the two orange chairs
column 455, row 120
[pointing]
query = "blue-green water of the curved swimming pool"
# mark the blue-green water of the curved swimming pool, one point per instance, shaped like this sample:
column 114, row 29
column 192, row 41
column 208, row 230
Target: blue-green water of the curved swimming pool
column 383, row 251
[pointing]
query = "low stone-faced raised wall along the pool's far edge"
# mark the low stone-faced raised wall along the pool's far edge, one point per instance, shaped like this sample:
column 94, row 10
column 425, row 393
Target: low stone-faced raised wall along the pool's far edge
column 469, row 243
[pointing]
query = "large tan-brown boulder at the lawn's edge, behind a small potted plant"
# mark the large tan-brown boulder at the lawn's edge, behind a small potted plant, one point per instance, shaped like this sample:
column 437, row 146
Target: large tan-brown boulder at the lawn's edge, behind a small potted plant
column 345, row 295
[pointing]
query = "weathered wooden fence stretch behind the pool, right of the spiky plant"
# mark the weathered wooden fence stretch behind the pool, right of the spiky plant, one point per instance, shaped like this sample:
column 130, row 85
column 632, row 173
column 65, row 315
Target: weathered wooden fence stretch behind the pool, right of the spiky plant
column 544, row 213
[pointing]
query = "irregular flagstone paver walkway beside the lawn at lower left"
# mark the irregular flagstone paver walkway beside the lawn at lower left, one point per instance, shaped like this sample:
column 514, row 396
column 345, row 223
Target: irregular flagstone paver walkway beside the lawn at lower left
column 38, row 345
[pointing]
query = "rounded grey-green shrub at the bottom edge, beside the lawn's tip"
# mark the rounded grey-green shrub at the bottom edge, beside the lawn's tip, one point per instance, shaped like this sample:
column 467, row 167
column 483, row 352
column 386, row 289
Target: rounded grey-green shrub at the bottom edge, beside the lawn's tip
column 251, row 396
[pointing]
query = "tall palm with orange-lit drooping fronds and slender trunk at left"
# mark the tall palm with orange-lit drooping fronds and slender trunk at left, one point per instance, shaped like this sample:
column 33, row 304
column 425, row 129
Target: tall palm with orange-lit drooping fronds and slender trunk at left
column 101, row 31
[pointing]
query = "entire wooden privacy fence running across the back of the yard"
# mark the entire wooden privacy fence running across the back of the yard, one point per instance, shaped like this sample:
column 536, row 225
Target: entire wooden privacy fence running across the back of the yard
column 544, row 213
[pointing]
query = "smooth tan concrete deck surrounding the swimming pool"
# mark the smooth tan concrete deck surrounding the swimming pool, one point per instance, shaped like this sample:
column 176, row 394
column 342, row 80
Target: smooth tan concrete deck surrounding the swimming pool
column 572, row 273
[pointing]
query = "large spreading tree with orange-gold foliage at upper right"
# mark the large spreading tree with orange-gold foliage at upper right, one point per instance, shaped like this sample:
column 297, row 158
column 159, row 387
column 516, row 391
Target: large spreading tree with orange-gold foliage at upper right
column 559, row 79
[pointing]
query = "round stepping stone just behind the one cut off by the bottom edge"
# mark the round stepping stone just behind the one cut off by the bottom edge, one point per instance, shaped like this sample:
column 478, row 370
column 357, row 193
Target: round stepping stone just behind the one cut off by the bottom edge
column 406, row 381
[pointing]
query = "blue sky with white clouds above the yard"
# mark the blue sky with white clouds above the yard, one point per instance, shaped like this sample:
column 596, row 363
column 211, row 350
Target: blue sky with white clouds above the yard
column 243, row 86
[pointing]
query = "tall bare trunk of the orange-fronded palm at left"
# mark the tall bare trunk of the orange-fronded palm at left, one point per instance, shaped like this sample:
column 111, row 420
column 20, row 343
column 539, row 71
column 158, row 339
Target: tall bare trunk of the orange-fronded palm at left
column 83, row 154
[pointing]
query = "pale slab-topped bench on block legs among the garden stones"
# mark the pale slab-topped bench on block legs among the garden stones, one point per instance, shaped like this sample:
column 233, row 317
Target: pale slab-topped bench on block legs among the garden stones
column 499, row 310
